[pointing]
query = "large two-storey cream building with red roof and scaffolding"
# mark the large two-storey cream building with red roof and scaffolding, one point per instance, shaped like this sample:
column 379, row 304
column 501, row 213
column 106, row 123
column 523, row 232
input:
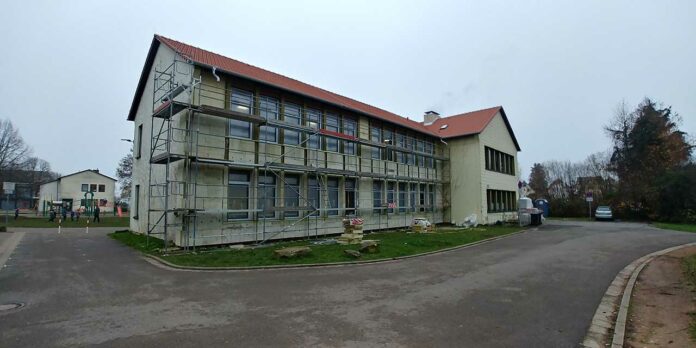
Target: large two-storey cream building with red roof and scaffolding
column 225, row 152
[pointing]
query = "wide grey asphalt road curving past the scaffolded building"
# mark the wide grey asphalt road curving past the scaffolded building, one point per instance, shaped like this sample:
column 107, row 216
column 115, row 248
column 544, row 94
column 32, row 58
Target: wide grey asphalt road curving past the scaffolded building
column 535, row 289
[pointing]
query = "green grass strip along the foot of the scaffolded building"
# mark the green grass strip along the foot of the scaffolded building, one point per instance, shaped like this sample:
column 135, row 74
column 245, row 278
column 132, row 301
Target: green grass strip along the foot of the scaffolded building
column 392, row 244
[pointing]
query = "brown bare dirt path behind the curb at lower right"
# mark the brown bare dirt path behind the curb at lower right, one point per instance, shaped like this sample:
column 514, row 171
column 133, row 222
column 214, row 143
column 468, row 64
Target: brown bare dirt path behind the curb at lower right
column 661, row 303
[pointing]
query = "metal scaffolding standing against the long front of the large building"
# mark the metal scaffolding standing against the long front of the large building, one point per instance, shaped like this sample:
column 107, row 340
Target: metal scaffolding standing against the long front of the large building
column 191, row 145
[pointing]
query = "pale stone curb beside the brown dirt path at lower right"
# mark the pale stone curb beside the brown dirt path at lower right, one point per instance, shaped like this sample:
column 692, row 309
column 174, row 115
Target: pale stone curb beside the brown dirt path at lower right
column 612, row 312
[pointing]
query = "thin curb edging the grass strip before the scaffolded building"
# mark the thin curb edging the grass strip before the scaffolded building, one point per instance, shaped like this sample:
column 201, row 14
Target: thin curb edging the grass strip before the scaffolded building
column 157, row 261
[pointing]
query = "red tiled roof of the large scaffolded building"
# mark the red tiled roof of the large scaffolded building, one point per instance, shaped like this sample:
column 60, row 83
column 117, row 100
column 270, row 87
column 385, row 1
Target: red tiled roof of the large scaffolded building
column 458, row 125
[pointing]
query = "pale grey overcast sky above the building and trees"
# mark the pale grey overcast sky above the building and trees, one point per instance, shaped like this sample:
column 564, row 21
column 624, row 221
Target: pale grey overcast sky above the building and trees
column 559, row 68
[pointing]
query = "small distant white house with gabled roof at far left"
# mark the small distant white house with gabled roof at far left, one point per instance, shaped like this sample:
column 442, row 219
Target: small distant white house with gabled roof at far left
column 85, row 189
